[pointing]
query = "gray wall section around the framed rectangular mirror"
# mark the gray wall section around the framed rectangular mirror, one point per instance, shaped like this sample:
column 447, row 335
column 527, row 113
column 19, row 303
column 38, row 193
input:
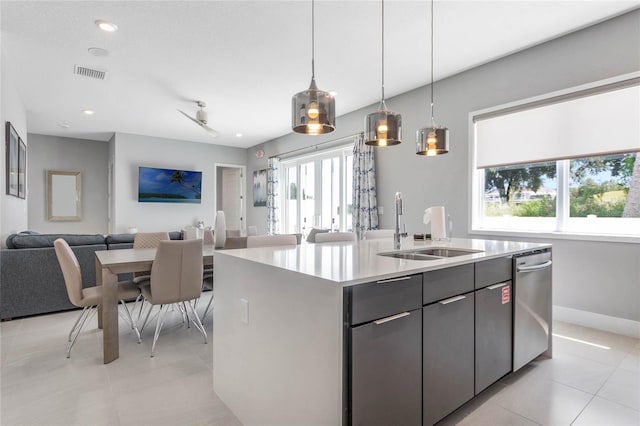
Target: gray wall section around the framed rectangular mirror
column 56, row 153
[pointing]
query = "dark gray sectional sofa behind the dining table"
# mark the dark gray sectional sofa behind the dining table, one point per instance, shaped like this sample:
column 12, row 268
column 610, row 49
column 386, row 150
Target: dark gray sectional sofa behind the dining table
column 31, row 279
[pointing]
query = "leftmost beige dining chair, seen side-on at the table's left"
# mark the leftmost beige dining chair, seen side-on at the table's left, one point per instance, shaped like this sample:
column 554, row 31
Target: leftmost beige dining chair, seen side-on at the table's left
column 90, row 298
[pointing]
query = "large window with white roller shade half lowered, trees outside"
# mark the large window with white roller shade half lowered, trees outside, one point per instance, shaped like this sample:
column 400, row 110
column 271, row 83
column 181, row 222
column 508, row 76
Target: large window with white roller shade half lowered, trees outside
column 582, row 177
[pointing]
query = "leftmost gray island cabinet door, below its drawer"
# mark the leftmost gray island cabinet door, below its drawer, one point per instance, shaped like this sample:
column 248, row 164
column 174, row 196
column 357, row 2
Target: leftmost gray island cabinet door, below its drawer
column 385, row 371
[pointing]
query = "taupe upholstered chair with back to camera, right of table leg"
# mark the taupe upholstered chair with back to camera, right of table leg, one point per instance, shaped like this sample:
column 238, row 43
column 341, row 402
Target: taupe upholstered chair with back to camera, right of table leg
column 176, row 277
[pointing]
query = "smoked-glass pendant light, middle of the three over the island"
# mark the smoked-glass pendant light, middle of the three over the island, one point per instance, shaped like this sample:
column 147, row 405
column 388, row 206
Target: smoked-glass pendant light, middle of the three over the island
column 383, row 127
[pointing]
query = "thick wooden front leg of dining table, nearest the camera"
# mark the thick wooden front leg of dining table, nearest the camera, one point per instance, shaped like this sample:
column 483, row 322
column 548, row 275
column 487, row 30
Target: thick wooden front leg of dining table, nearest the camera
column 110, row 342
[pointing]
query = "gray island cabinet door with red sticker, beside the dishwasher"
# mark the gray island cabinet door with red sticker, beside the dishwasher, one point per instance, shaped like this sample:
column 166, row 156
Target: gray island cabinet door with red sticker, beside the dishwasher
column 493, row 334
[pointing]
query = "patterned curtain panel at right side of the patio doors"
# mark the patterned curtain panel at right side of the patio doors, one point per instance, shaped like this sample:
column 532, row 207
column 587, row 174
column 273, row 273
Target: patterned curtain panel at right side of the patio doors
column 365, row 204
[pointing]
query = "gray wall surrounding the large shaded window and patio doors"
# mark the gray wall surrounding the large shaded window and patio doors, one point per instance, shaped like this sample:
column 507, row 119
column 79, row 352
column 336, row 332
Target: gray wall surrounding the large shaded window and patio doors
column 582, row 275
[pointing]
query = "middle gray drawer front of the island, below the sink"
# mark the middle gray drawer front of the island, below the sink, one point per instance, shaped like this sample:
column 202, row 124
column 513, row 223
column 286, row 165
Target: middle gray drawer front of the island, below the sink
column 448, row 282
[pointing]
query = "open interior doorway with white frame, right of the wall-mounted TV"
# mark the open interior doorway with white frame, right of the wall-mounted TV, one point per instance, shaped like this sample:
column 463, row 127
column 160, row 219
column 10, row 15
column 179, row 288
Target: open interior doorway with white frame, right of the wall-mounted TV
column 230, row 197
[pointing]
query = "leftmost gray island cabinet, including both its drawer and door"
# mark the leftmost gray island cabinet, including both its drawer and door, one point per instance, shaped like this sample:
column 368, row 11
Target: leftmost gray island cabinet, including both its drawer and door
column 383, row 326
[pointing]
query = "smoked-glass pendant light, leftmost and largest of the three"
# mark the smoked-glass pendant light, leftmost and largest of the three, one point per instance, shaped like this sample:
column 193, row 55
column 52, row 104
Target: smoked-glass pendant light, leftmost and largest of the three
column 313, row 111
